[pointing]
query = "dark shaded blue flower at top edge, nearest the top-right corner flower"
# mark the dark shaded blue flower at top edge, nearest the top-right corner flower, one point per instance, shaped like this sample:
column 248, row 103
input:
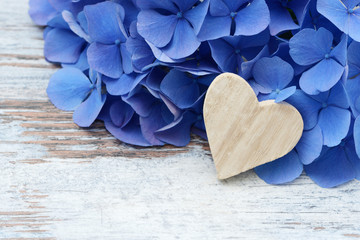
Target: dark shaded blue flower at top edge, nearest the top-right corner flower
column 280, row 16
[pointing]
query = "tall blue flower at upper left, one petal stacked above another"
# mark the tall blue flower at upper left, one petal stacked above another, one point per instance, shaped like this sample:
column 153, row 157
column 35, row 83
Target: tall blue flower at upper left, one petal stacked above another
column 107, row 53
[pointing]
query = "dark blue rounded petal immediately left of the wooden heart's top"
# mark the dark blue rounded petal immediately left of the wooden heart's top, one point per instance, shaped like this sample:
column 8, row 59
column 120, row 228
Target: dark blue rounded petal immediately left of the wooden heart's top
column 182, row 90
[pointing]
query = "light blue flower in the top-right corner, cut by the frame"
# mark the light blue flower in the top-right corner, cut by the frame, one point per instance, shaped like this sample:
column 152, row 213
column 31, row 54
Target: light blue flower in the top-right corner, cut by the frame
column 345, row 14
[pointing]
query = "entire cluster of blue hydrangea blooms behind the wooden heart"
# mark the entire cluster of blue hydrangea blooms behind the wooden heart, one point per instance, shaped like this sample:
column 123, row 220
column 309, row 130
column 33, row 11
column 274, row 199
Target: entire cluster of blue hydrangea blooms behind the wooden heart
column 143, row 67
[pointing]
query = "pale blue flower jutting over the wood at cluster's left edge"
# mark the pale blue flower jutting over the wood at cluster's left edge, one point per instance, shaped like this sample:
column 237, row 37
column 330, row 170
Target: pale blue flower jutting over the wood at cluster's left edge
column 71, row 90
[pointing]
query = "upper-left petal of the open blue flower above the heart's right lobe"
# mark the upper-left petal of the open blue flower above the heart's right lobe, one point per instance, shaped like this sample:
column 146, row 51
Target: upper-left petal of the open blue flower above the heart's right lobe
column 309, row 46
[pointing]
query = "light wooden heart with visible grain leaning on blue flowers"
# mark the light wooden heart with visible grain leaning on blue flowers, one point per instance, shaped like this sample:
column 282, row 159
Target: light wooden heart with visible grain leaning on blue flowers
column 244, row 133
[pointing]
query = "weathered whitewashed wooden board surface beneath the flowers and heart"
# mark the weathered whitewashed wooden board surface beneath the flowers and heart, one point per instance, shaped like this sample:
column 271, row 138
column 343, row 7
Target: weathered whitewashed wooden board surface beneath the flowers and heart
column 58, row 181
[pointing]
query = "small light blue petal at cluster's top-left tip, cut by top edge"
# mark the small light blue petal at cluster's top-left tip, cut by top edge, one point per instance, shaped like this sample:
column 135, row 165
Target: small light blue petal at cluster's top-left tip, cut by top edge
column 41, row 11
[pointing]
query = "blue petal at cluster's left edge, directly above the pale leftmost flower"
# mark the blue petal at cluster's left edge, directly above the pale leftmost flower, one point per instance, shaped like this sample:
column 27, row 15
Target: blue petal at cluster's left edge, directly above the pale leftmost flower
column 63, row 46
